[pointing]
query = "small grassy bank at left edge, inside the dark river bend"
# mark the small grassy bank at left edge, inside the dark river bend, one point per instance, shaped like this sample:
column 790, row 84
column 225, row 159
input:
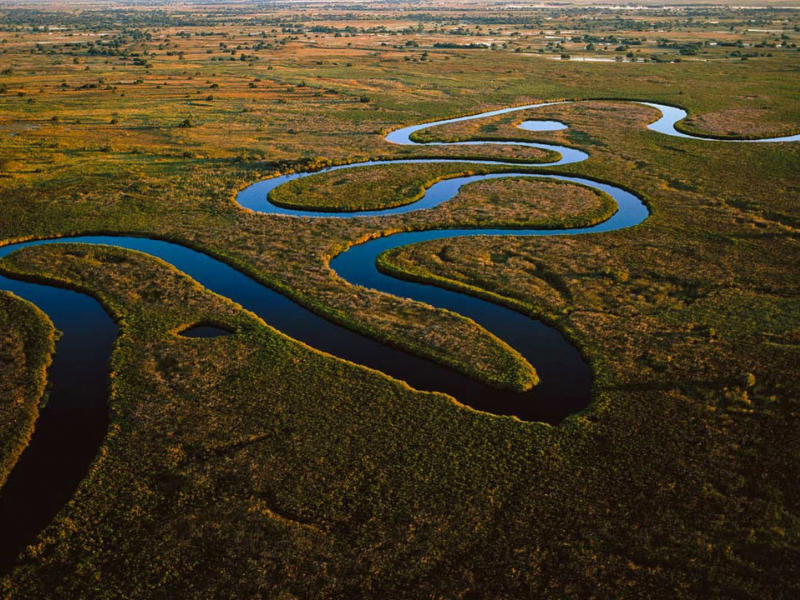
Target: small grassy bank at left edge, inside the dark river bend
column 27, row 342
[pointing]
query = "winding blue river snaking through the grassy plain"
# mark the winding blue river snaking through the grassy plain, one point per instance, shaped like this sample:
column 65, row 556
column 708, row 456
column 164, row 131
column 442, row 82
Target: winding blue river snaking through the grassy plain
column 72, row 425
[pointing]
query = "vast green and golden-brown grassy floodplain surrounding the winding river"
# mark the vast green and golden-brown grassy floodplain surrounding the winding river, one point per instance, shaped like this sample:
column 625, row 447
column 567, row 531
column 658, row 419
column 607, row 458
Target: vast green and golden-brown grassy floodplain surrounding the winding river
column 251, row 465
